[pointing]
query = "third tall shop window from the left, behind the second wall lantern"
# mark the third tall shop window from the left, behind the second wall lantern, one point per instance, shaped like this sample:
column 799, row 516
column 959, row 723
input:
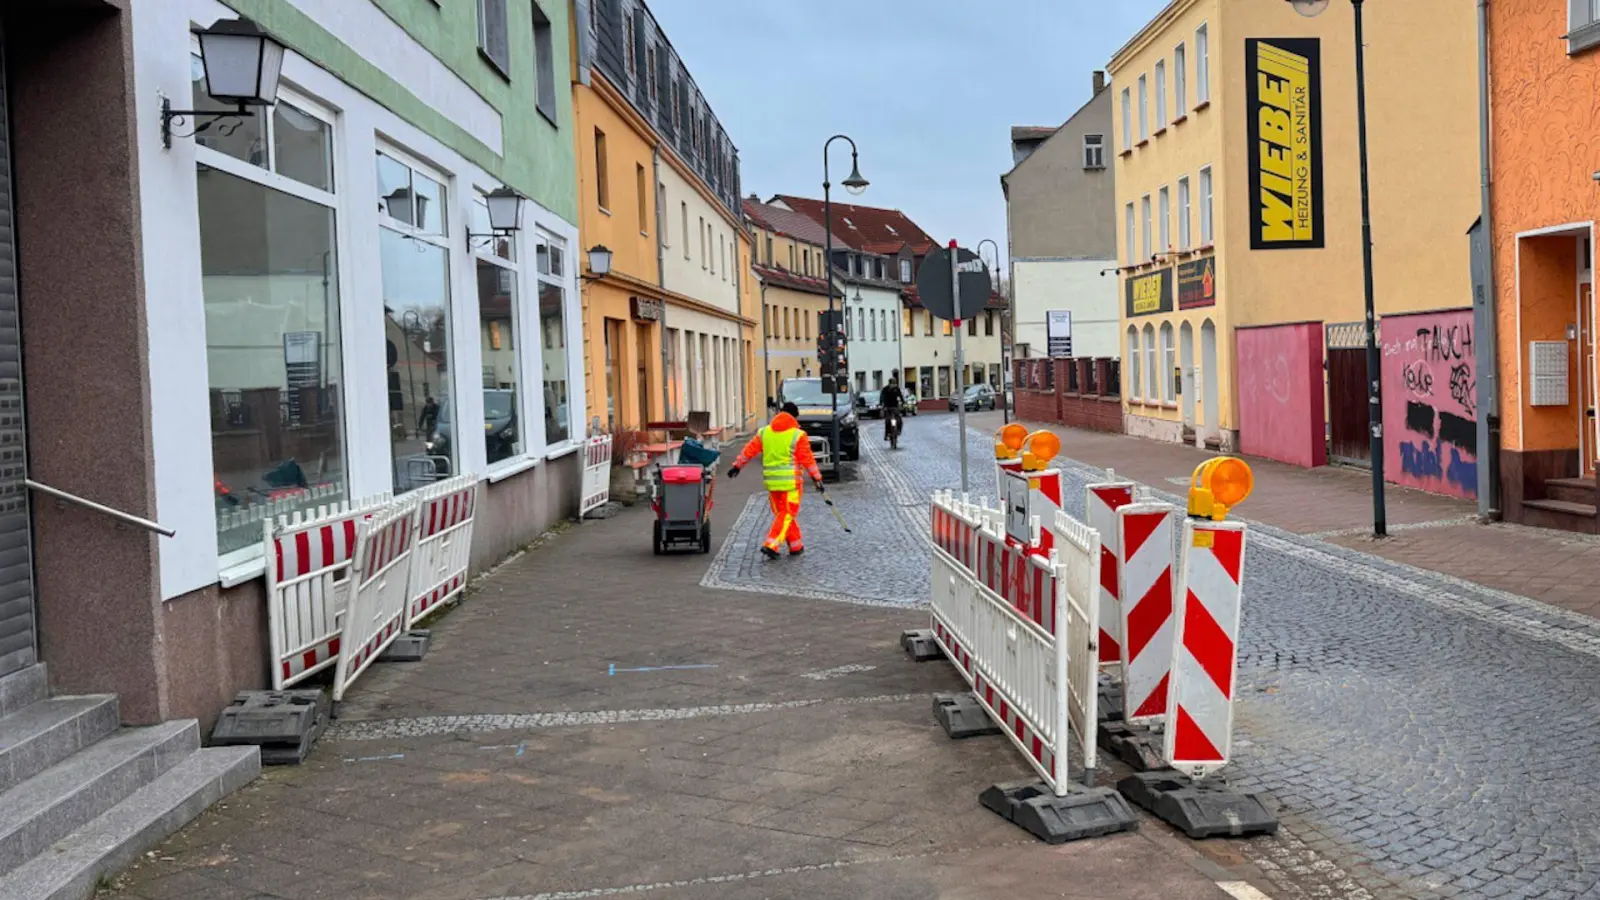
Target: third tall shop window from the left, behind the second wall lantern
column 500, row 339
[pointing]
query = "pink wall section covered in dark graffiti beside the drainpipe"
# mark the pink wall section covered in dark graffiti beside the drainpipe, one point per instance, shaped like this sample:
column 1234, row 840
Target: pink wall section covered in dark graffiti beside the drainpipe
column 1430, row 403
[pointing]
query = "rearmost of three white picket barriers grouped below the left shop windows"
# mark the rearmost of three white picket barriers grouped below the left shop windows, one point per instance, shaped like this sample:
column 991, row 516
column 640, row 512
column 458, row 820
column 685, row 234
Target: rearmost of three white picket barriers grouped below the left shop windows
column 444, row 544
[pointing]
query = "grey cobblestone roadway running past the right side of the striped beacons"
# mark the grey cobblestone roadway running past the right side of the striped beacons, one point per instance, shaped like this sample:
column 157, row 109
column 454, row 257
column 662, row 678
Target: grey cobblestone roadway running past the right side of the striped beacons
column 1423, row 736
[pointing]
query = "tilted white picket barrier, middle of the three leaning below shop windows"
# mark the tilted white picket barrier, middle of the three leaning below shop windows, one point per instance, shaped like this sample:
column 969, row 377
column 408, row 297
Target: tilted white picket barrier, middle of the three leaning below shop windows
column 380, row 587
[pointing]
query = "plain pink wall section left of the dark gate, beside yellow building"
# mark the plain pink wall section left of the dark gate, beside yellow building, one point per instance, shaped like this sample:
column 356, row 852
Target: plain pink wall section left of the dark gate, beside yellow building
column 1281, row 395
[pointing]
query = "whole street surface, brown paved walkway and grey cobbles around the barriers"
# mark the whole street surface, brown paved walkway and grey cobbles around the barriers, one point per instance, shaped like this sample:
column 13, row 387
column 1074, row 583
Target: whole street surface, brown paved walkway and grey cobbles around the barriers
column 596, row 723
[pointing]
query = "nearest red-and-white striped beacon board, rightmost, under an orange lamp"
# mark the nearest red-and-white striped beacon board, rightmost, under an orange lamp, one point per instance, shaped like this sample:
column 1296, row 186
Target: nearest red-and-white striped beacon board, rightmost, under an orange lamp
column 1206, row 656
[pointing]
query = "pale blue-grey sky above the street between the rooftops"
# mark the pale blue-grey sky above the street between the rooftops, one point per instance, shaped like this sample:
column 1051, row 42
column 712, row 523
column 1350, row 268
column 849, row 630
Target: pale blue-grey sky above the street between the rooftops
column 929, row 90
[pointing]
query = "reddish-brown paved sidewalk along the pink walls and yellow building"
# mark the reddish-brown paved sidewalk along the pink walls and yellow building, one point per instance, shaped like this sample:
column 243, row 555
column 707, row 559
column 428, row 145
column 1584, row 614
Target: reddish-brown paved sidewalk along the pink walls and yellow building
column 1335, row 504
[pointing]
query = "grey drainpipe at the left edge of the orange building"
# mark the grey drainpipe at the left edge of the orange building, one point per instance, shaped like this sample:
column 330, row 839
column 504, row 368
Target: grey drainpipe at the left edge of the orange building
column 1484, row 307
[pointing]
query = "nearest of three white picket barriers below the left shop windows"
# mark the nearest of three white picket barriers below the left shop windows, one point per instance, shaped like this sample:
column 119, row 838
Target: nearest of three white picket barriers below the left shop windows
column 308, row 560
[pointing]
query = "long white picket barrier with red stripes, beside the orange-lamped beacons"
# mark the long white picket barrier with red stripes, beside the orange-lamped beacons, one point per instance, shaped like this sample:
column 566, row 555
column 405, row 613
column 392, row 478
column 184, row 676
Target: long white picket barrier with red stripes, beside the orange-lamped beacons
column 1010, row 619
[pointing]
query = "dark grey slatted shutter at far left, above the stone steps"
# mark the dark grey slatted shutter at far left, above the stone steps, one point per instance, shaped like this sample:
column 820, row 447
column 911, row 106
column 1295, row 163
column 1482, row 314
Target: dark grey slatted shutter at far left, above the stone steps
column 17, row 568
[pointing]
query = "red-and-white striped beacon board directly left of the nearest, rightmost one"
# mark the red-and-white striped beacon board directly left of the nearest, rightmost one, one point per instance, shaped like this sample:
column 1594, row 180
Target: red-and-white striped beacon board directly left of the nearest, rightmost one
column 1145, row 547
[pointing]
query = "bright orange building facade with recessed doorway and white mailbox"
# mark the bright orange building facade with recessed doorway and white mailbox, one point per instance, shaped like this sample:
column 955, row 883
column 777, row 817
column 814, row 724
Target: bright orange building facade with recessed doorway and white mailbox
column 1545, row 204
